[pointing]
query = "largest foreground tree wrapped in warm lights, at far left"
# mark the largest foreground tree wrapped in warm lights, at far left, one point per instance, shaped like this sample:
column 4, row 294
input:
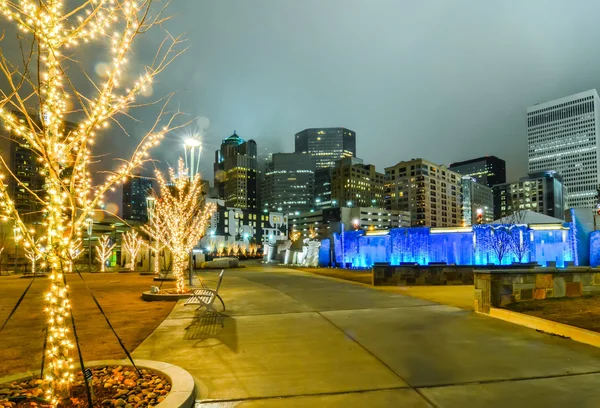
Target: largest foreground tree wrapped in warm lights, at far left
column 52, row 38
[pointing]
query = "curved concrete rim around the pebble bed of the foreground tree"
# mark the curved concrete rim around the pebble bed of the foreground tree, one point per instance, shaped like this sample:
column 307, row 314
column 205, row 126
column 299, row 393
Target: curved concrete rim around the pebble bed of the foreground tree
column 181, row 395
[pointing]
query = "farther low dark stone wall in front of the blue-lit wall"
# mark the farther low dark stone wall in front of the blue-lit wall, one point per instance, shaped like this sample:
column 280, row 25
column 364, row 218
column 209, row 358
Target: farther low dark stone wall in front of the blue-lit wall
column 413, row 275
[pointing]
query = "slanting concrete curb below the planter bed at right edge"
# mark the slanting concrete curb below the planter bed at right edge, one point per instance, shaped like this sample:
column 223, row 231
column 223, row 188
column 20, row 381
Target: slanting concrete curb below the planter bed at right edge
column 547, row 326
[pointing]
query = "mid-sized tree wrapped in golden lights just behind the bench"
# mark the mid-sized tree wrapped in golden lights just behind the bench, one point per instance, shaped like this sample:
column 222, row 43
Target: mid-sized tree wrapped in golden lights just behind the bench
column 180, row 218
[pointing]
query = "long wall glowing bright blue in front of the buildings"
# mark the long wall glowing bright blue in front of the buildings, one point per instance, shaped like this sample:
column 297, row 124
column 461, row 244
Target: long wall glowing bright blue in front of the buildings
column 475, row 247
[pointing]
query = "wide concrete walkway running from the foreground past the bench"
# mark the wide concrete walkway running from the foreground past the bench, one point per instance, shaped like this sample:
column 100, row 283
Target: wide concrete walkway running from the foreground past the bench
column 293, row 339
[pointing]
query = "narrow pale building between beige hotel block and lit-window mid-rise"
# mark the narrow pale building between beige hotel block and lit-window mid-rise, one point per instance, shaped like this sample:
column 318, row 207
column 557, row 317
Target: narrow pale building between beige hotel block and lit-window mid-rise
column 477, row 201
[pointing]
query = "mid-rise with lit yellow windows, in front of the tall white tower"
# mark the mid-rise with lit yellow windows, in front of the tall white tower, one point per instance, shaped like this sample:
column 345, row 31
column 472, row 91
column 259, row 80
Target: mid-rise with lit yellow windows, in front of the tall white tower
column 542, row 192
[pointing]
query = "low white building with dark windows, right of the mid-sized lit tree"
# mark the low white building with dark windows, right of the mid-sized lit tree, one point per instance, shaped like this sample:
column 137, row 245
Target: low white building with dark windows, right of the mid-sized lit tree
column 230, row 224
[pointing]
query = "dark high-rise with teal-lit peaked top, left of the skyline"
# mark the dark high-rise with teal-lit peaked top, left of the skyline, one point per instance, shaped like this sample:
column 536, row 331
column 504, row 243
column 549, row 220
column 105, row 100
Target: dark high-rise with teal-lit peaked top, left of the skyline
column 236, row 172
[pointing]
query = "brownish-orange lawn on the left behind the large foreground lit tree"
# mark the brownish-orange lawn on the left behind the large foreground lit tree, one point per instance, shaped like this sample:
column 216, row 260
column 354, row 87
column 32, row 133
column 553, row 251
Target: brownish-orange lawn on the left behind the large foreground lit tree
column 119, row 295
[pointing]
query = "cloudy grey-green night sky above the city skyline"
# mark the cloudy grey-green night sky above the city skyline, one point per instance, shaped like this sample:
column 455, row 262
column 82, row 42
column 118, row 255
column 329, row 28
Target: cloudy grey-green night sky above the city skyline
column 443, row 80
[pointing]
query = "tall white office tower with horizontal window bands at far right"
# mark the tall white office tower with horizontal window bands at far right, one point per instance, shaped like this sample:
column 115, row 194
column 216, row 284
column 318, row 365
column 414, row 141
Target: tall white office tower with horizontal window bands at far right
column 563, row 136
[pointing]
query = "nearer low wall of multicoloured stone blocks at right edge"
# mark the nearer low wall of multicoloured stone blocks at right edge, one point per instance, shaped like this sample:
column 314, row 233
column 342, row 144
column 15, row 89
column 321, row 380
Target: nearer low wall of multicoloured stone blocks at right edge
column 498, row 288
